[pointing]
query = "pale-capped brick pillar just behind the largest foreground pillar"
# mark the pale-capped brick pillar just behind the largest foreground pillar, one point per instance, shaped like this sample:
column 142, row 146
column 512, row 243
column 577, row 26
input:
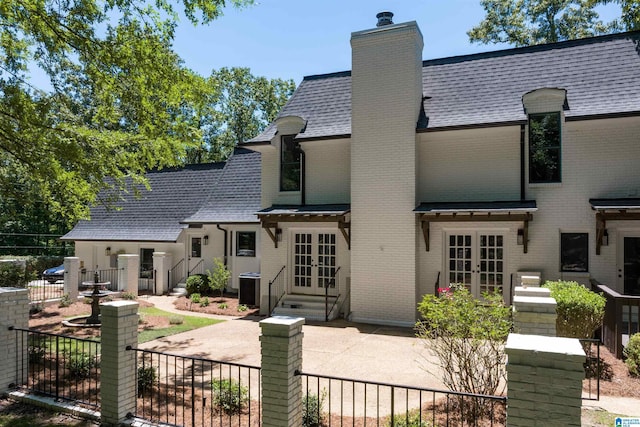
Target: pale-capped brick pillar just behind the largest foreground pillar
column 534, row 311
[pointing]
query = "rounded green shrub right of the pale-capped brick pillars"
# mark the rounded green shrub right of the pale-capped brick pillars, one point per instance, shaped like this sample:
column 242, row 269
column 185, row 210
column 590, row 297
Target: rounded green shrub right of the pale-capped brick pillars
column 579, row 310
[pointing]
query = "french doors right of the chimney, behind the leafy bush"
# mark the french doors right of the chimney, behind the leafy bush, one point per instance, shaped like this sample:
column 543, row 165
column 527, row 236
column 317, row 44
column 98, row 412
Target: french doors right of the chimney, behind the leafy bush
column 476, row 260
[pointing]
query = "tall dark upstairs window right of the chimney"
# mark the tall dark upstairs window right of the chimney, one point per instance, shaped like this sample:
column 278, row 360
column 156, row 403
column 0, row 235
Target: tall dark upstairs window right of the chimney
column 544, row 148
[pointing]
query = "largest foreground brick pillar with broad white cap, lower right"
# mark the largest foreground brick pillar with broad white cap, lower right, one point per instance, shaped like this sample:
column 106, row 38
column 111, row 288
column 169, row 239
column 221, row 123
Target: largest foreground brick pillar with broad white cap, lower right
column 544, row 380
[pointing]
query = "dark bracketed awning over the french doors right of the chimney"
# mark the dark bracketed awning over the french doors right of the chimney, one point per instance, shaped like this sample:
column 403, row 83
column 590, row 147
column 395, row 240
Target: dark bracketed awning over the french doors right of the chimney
column 516, row 210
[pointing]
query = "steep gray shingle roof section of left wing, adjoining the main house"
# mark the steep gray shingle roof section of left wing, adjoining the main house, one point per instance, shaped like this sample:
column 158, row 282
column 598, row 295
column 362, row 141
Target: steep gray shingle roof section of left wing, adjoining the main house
column 236, row 197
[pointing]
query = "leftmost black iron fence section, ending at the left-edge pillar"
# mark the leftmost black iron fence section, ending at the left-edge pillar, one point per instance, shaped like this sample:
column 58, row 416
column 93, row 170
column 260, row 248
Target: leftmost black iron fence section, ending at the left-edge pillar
column 59, row 366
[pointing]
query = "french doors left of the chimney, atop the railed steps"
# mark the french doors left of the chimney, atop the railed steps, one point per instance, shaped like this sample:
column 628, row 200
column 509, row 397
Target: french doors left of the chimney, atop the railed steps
column 314, row 261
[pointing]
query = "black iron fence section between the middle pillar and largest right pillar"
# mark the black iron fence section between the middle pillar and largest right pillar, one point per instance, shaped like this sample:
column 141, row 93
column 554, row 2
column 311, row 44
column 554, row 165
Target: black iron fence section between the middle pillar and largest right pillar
column 343, row 401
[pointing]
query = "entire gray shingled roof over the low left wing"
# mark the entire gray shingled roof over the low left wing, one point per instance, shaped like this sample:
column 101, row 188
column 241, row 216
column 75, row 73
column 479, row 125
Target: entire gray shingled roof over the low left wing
column 176, row 194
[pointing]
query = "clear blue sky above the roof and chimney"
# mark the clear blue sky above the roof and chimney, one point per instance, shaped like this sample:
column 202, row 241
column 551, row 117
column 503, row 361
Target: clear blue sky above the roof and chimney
column 290, row 39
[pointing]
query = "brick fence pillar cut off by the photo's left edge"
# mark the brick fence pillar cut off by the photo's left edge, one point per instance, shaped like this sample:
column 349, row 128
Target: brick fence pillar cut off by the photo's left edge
column 14, row 311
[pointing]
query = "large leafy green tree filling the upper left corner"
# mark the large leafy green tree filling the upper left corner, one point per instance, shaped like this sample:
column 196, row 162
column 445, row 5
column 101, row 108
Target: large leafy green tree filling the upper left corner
column 116, row 106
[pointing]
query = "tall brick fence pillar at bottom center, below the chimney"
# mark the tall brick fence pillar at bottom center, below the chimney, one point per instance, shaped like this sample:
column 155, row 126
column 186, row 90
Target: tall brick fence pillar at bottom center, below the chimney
column 281, row 343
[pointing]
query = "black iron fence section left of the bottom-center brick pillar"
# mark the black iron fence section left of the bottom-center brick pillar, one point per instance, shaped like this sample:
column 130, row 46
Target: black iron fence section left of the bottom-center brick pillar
column 192, row 391
